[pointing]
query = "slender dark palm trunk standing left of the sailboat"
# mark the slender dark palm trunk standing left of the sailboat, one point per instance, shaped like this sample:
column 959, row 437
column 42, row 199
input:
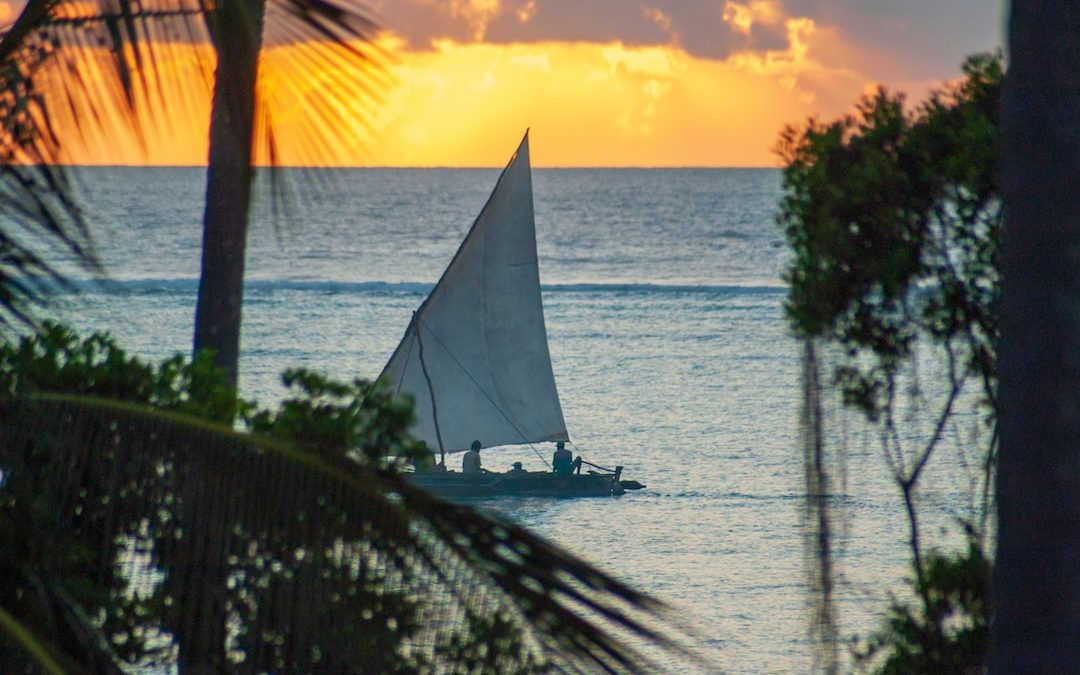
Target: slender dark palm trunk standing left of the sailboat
column 237, row 30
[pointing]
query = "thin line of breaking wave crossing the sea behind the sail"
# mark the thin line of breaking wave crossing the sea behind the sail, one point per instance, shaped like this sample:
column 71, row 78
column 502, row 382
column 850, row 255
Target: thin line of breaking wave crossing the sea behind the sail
column 188, row 287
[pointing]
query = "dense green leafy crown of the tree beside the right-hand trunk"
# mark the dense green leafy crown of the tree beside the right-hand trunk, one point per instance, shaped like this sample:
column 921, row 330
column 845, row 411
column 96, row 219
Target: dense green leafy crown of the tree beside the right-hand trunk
column 894, row 219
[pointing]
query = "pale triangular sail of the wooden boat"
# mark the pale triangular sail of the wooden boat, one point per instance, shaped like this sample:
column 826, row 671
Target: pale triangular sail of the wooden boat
column 477, row 350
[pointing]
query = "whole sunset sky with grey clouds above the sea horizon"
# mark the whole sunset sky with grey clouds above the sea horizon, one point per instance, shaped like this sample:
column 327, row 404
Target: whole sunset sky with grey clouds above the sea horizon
column 632, row 83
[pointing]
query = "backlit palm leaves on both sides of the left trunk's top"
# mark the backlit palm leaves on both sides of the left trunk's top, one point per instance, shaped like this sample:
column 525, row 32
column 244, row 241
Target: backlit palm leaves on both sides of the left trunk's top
column 133, row 62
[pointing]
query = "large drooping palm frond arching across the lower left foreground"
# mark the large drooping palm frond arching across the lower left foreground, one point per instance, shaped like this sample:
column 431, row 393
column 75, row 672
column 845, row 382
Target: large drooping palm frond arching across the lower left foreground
column 236, row 552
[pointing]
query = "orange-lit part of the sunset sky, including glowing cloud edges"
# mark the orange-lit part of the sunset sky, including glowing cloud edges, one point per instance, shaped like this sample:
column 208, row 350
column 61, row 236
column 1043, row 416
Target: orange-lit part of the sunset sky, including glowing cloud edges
column 463, row 98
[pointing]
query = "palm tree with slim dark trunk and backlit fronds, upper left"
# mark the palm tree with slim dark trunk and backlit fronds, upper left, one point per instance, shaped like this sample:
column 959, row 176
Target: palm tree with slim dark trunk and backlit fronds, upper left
column 119, row 59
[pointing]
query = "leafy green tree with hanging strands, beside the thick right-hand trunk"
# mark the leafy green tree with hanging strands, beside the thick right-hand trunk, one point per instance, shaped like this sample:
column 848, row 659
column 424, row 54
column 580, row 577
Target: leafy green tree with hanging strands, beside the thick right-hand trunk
column 894, row 215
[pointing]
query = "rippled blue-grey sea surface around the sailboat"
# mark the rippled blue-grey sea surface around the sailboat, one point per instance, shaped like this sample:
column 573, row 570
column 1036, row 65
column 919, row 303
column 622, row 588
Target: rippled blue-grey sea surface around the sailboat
column 665, row 308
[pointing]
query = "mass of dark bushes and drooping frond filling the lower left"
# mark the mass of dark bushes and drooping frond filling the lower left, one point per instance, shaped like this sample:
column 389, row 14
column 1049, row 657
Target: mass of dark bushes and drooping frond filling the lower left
column 137, row 535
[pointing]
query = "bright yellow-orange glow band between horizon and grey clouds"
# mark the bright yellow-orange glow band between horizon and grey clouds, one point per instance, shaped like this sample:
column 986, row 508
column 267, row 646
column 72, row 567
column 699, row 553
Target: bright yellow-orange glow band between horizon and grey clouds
column 464, row 104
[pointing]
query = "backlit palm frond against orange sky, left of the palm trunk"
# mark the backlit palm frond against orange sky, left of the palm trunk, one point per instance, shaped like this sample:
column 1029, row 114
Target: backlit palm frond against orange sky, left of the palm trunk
column 110, row 69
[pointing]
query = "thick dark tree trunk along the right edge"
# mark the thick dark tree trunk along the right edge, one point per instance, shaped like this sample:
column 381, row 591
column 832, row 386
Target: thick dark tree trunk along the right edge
column 1037, row 571
